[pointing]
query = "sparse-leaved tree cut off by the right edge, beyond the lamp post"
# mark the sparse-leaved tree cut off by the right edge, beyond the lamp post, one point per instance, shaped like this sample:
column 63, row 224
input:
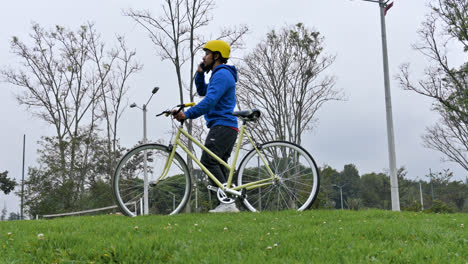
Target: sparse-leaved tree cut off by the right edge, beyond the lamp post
column 444, row 27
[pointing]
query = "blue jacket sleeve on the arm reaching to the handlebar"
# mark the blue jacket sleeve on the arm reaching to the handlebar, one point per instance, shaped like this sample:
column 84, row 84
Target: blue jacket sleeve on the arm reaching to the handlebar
column 216, row 89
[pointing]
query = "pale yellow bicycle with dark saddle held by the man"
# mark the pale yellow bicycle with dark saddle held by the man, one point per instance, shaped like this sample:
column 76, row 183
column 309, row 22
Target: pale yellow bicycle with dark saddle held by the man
column 275, row 175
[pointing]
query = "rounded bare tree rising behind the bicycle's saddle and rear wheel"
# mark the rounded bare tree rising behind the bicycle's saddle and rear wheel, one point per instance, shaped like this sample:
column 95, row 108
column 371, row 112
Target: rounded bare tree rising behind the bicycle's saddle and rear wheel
column 283, row 76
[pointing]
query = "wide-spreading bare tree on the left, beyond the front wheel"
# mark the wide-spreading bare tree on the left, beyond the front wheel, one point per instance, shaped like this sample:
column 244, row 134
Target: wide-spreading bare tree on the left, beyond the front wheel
column 67, row 80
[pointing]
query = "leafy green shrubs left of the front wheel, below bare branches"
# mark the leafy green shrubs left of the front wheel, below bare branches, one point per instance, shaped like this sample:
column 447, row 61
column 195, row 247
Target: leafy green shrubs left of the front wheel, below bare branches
column 51, row 188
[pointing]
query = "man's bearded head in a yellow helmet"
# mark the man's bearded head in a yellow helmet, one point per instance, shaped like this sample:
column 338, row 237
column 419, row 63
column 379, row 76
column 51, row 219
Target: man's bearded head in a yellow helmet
column 216, row 52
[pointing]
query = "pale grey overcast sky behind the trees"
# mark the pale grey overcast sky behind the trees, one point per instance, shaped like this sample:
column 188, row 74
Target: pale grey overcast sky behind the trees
column 351, row 131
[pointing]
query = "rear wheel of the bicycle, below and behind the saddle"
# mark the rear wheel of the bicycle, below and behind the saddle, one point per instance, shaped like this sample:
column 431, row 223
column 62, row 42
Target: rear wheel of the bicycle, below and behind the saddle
column 294, row 184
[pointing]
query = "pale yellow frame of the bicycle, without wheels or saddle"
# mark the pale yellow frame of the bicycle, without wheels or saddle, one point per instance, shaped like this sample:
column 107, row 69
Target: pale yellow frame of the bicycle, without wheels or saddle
column 249, row 186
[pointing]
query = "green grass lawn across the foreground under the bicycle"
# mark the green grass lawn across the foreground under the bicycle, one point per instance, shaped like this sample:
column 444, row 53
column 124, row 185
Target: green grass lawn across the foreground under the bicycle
column 317, row 236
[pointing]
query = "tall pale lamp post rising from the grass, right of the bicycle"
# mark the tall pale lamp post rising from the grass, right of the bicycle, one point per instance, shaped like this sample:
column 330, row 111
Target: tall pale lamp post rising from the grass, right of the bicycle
column 384, row 6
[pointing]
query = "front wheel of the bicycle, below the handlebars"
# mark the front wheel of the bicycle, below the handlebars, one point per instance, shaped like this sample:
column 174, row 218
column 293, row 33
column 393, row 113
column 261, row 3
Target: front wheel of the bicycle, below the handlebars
column 139, row 188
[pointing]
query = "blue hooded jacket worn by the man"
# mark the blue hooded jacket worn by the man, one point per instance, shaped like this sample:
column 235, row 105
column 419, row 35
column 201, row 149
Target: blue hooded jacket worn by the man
column 220, row 97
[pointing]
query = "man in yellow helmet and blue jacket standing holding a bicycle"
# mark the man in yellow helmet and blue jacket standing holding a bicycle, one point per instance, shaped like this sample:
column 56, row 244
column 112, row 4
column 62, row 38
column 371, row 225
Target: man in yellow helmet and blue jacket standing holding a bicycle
column 217, row 106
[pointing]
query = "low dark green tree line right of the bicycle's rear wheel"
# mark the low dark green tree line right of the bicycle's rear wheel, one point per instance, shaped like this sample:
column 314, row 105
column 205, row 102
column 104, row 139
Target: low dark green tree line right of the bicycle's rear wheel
column 372, row 190
